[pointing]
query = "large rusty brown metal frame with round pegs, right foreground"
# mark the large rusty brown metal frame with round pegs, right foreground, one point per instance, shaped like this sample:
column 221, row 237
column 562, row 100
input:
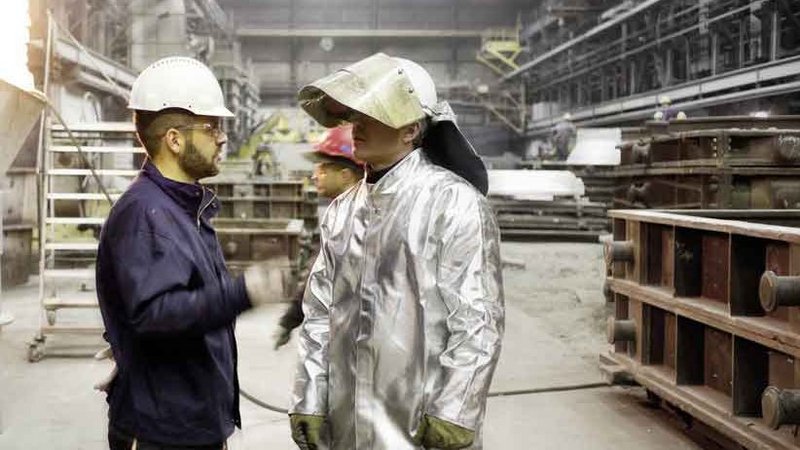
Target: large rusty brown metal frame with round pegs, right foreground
column 698, row 323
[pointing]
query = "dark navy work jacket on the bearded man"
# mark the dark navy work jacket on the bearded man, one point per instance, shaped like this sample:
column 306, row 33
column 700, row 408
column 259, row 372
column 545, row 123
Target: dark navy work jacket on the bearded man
column 169, row 308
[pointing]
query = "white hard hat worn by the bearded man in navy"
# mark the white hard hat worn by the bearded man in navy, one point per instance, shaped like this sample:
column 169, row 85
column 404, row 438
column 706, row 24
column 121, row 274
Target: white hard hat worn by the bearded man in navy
column 179, row 82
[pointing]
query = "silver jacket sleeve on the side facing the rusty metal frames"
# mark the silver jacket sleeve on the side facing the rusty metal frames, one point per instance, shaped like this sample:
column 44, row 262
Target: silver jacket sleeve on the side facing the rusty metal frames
column 470, row 285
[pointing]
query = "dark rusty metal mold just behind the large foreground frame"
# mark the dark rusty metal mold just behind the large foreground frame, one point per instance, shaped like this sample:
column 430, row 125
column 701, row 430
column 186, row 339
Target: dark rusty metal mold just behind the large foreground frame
column 710, row 169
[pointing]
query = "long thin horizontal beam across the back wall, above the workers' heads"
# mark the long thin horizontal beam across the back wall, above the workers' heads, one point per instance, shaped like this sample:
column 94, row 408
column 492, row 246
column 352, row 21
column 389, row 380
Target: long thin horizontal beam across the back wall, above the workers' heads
column 353, row 33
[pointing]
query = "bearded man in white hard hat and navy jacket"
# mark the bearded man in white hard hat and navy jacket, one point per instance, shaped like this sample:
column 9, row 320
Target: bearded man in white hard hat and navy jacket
column 167, row 300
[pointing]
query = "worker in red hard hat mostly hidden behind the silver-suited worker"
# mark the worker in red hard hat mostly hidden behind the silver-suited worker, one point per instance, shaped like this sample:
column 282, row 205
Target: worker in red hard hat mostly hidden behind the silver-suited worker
column 336, row 170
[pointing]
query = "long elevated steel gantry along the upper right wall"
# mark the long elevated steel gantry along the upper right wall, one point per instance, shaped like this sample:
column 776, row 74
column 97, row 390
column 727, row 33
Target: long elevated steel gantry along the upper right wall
column 699, row 52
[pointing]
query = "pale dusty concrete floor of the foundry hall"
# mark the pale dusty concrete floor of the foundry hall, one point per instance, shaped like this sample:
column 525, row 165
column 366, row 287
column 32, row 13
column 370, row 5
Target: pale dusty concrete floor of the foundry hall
column 554, row 332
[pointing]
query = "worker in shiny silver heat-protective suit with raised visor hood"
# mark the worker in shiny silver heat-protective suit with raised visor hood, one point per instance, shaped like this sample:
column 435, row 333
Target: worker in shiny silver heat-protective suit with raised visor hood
column 404, row 304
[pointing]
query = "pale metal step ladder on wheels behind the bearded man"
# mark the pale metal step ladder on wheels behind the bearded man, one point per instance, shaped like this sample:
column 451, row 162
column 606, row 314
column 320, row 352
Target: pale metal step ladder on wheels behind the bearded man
column 85, row 168
